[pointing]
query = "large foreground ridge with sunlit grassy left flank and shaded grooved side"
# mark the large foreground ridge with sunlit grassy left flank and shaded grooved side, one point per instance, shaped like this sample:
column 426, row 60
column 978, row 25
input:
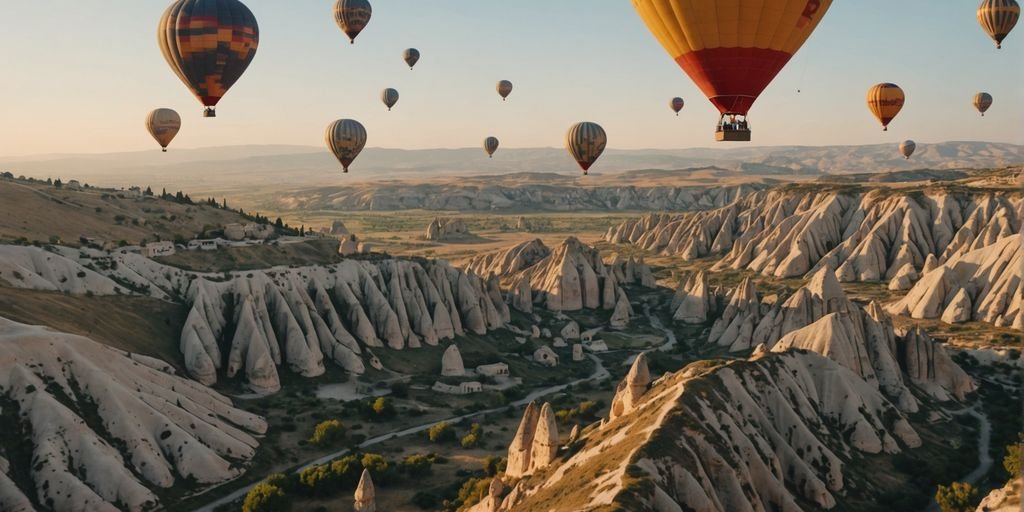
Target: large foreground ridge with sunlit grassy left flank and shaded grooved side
column 763, row 435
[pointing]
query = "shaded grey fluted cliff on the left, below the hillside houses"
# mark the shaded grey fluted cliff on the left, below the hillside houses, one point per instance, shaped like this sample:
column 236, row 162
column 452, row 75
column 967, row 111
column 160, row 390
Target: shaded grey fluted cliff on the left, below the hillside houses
column 252, row 323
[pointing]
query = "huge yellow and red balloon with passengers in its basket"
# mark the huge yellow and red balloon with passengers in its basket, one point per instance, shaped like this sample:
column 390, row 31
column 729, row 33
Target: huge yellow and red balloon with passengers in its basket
column 733, row 50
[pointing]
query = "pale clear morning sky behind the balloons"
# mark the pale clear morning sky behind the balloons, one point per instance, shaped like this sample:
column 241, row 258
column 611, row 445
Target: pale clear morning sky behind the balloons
column 80, row 76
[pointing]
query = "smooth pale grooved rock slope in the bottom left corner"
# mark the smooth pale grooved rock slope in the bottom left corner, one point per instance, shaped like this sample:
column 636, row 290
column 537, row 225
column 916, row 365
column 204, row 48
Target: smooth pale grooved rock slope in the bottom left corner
column 93, row 429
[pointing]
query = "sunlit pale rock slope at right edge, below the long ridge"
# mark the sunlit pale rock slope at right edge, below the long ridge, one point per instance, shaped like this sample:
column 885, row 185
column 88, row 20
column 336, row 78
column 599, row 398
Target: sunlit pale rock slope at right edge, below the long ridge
column 986, row 285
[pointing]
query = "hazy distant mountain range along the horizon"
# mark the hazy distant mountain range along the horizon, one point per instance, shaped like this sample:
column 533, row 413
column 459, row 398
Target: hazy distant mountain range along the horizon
column 254, row 168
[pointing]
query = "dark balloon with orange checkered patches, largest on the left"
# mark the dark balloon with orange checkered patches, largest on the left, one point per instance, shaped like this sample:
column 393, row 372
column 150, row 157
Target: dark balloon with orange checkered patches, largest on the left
column 209, row 45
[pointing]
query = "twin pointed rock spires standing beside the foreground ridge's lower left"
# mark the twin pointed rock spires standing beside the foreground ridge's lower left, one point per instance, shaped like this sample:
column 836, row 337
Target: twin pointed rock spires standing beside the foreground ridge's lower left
column 536, row 444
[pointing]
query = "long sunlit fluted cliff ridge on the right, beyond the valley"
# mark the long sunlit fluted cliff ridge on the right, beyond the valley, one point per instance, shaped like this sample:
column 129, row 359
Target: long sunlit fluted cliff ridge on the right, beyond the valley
column 864, row 237
